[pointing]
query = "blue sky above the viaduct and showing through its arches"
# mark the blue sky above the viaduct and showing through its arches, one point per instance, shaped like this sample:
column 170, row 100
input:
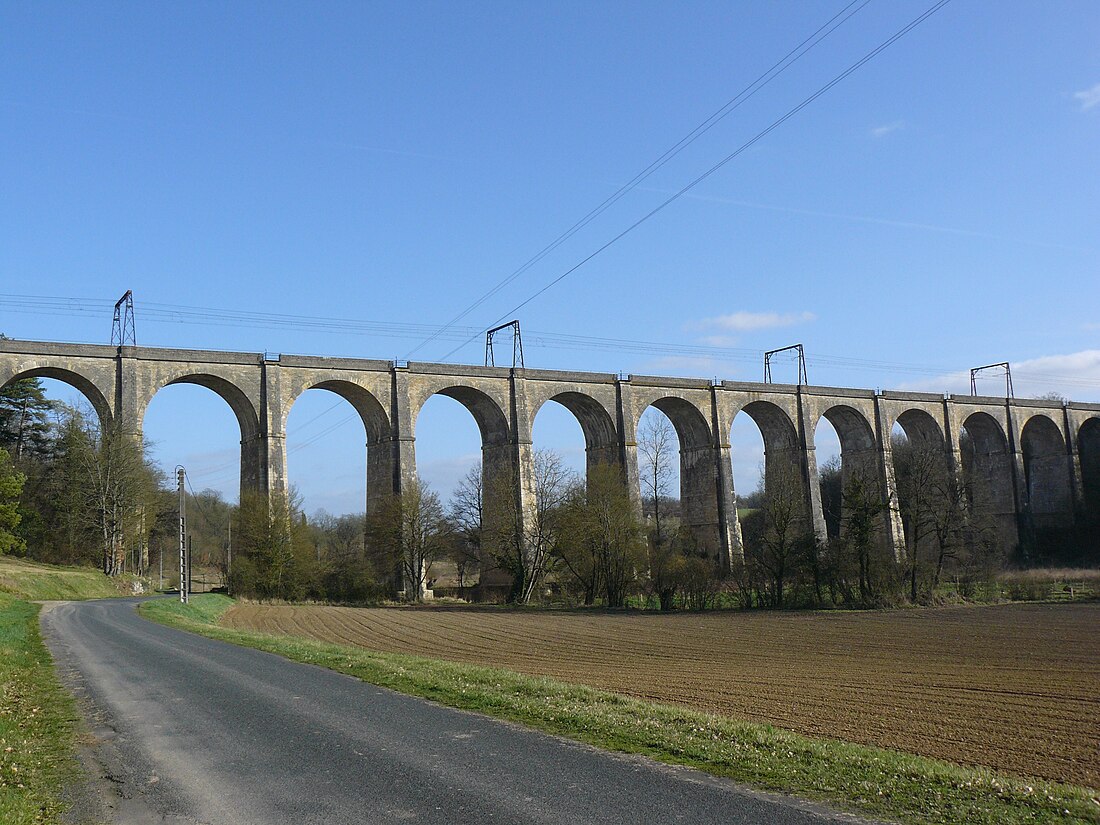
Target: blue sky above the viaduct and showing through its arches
column 934, row 212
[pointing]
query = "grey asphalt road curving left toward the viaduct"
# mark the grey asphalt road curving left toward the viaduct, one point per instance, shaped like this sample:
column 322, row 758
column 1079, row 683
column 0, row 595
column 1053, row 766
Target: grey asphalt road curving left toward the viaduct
column 193, row 731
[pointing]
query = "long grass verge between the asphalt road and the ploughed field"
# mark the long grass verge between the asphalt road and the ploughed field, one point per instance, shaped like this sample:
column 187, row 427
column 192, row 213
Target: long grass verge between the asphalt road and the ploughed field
column 872, row 782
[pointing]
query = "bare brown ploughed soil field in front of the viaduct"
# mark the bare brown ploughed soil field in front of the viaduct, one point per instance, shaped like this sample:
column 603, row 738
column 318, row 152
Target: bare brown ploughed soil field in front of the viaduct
column 1015, row 688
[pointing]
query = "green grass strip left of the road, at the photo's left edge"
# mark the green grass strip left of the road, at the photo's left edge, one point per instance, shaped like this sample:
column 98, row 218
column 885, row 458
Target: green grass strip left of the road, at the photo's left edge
column 38, row 722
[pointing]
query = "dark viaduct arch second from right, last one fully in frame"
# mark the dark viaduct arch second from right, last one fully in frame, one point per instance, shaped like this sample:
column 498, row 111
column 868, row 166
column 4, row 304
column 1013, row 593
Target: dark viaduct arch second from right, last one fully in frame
column 1047, row 474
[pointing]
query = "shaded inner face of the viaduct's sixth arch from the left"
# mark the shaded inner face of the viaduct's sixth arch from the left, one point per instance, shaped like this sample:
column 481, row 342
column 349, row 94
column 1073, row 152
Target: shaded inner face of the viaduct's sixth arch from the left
column 699, row 485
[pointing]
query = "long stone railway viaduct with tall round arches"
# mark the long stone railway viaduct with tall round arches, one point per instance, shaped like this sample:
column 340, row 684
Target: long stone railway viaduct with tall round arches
column 1040, row 459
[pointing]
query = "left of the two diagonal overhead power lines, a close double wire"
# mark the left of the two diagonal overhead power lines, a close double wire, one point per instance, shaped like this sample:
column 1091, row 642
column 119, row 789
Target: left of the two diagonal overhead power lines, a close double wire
column 779, row 68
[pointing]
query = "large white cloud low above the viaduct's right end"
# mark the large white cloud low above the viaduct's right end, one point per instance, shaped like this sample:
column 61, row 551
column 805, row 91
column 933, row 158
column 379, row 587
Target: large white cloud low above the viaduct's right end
column 1075, row 376
